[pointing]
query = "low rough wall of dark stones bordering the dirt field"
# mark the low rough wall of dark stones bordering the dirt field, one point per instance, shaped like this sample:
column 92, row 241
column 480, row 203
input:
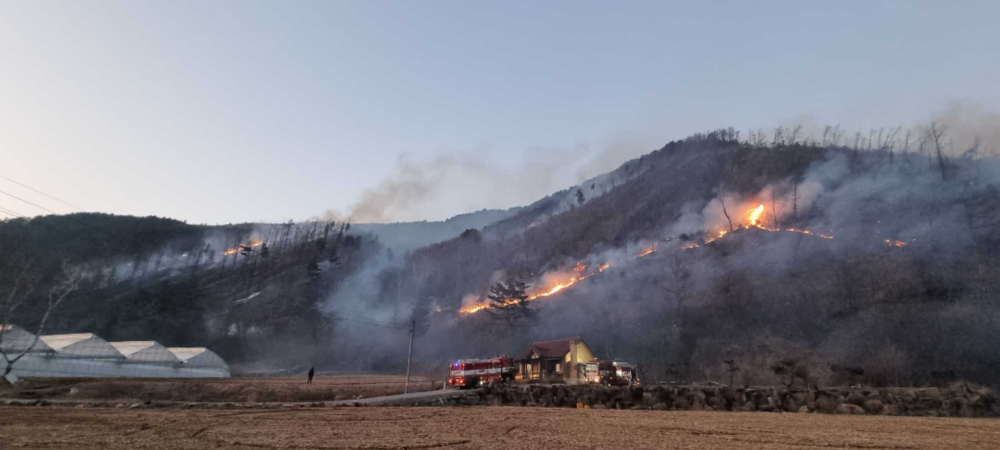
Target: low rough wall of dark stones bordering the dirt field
column 956, row 401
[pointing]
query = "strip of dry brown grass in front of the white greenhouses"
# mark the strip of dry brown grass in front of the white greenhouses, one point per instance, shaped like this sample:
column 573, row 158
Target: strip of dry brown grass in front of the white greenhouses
column 276, row 389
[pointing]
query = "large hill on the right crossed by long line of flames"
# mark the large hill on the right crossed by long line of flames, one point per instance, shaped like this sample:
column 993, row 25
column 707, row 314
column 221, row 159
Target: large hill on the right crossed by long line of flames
column 873, row 263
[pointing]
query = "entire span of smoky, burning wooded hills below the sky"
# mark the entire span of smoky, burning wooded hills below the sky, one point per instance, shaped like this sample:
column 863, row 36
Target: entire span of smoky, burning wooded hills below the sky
column 817, row 262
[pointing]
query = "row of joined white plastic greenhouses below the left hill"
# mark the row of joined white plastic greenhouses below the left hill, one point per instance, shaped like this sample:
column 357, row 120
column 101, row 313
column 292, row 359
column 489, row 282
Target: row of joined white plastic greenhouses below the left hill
column 87, row 355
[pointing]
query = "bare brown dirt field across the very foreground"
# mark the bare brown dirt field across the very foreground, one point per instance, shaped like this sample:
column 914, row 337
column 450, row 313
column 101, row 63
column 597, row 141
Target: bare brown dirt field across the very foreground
column 477, row 427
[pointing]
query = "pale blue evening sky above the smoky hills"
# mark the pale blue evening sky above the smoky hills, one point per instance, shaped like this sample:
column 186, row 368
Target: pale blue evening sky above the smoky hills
column 234, row 111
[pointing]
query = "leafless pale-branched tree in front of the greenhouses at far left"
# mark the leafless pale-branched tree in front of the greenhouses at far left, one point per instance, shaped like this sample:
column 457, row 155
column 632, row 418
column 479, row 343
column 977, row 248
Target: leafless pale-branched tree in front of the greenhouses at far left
column 19, row 285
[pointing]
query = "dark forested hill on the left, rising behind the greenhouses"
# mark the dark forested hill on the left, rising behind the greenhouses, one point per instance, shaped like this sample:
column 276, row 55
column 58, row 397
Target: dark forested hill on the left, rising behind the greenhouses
column 235, row 288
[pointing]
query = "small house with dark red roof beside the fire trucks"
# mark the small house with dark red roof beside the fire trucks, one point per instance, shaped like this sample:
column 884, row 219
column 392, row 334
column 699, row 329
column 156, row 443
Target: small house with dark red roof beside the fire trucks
column 561, row 360
